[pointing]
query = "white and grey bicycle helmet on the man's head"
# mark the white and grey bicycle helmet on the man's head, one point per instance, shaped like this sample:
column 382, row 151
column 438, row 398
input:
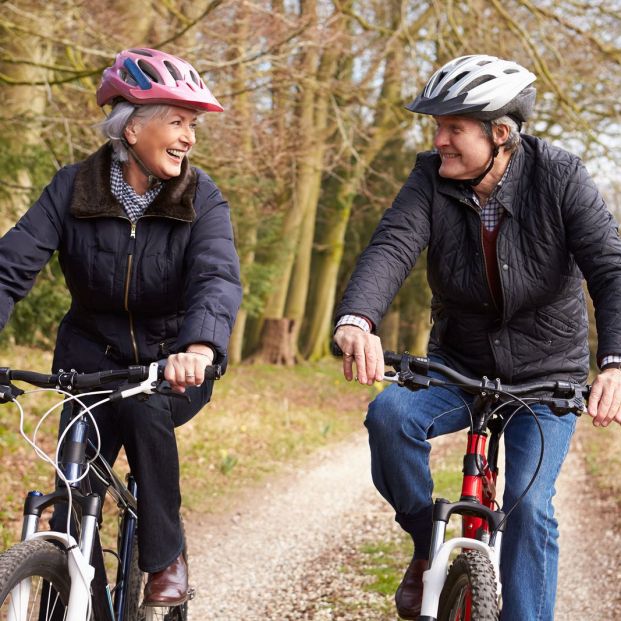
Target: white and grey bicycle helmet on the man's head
column 479, row 86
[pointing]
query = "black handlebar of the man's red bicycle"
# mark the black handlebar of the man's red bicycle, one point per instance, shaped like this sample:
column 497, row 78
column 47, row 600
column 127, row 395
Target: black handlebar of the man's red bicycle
column 412, row 372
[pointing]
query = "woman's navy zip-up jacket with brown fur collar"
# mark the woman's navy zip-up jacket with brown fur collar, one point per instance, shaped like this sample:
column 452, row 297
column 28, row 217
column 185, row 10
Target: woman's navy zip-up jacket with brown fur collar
column 138, row 292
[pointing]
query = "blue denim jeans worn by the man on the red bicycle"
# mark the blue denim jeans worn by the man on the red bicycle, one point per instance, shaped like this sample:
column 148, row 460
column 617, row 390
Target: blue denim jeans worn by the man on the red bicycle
column 400, row 422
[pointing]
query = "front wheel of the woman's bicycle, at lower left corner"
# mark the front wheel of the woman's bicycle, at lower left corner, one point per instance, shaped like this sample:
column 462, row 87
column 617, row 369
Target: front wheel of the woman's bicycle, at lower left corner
column 34, row 582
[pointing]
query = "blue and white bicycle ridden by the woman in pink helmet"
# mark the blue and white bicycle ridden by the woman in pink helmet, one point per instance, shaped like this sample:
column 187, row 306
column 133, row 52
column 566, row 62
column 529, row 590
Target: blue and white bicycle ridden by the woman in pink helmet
column 52, row 575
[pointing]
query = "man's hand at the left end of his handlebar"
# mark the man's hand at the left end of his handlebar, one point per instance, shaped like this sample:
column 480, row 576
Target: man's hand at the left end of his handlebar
column 363, row 348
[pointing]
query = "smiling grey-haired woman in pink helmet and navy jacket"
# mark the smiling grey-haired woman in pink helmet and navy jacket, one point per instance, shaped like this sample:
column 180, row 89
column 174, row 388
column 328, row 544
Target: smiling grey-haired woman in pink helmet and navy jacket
column 146, row 248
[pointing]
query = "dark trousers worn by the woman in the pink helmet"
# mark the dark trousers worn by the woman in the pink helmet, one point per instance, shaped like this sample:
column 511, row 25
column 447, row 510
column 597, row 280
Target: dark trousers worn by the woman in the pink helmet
column 146, row 430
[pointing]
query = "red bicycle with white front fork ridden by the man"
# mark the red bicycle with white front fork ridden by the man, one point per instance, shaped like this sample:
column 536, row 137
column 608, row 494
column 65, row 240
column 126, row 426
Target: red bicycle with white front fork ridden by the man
column 470, row 588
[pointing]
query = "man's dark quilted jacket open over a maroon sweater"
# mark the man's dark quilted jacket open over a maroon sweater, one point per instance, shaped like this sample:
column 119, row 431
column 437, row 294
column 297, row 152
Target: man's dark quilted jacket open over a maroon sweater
column 556, row 231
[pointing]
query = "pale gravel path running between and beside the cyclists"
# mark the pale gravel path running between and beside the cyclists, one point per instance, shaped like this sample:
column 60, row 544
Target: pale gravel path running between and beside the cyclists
column 279, row 554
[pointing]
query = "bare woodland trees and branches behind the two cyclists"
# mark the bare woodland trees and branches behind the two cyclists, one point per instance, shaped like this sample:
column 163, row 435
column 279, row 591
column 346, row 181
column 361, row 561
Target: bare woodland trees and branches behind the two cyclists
column 314, row 142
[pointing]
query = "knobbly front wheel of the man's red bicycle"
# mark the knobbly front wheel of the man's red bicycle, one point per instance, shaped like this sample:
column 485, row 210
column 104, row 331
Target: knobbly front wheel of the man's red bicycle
column 469, row 593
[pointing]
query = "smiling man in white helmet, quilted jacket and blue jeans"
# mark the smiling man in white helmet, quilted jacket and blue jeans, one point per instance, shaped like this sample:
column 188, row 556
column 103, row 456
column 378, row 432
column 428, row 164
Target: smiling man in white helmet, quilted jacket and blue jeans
column 512, row 224
